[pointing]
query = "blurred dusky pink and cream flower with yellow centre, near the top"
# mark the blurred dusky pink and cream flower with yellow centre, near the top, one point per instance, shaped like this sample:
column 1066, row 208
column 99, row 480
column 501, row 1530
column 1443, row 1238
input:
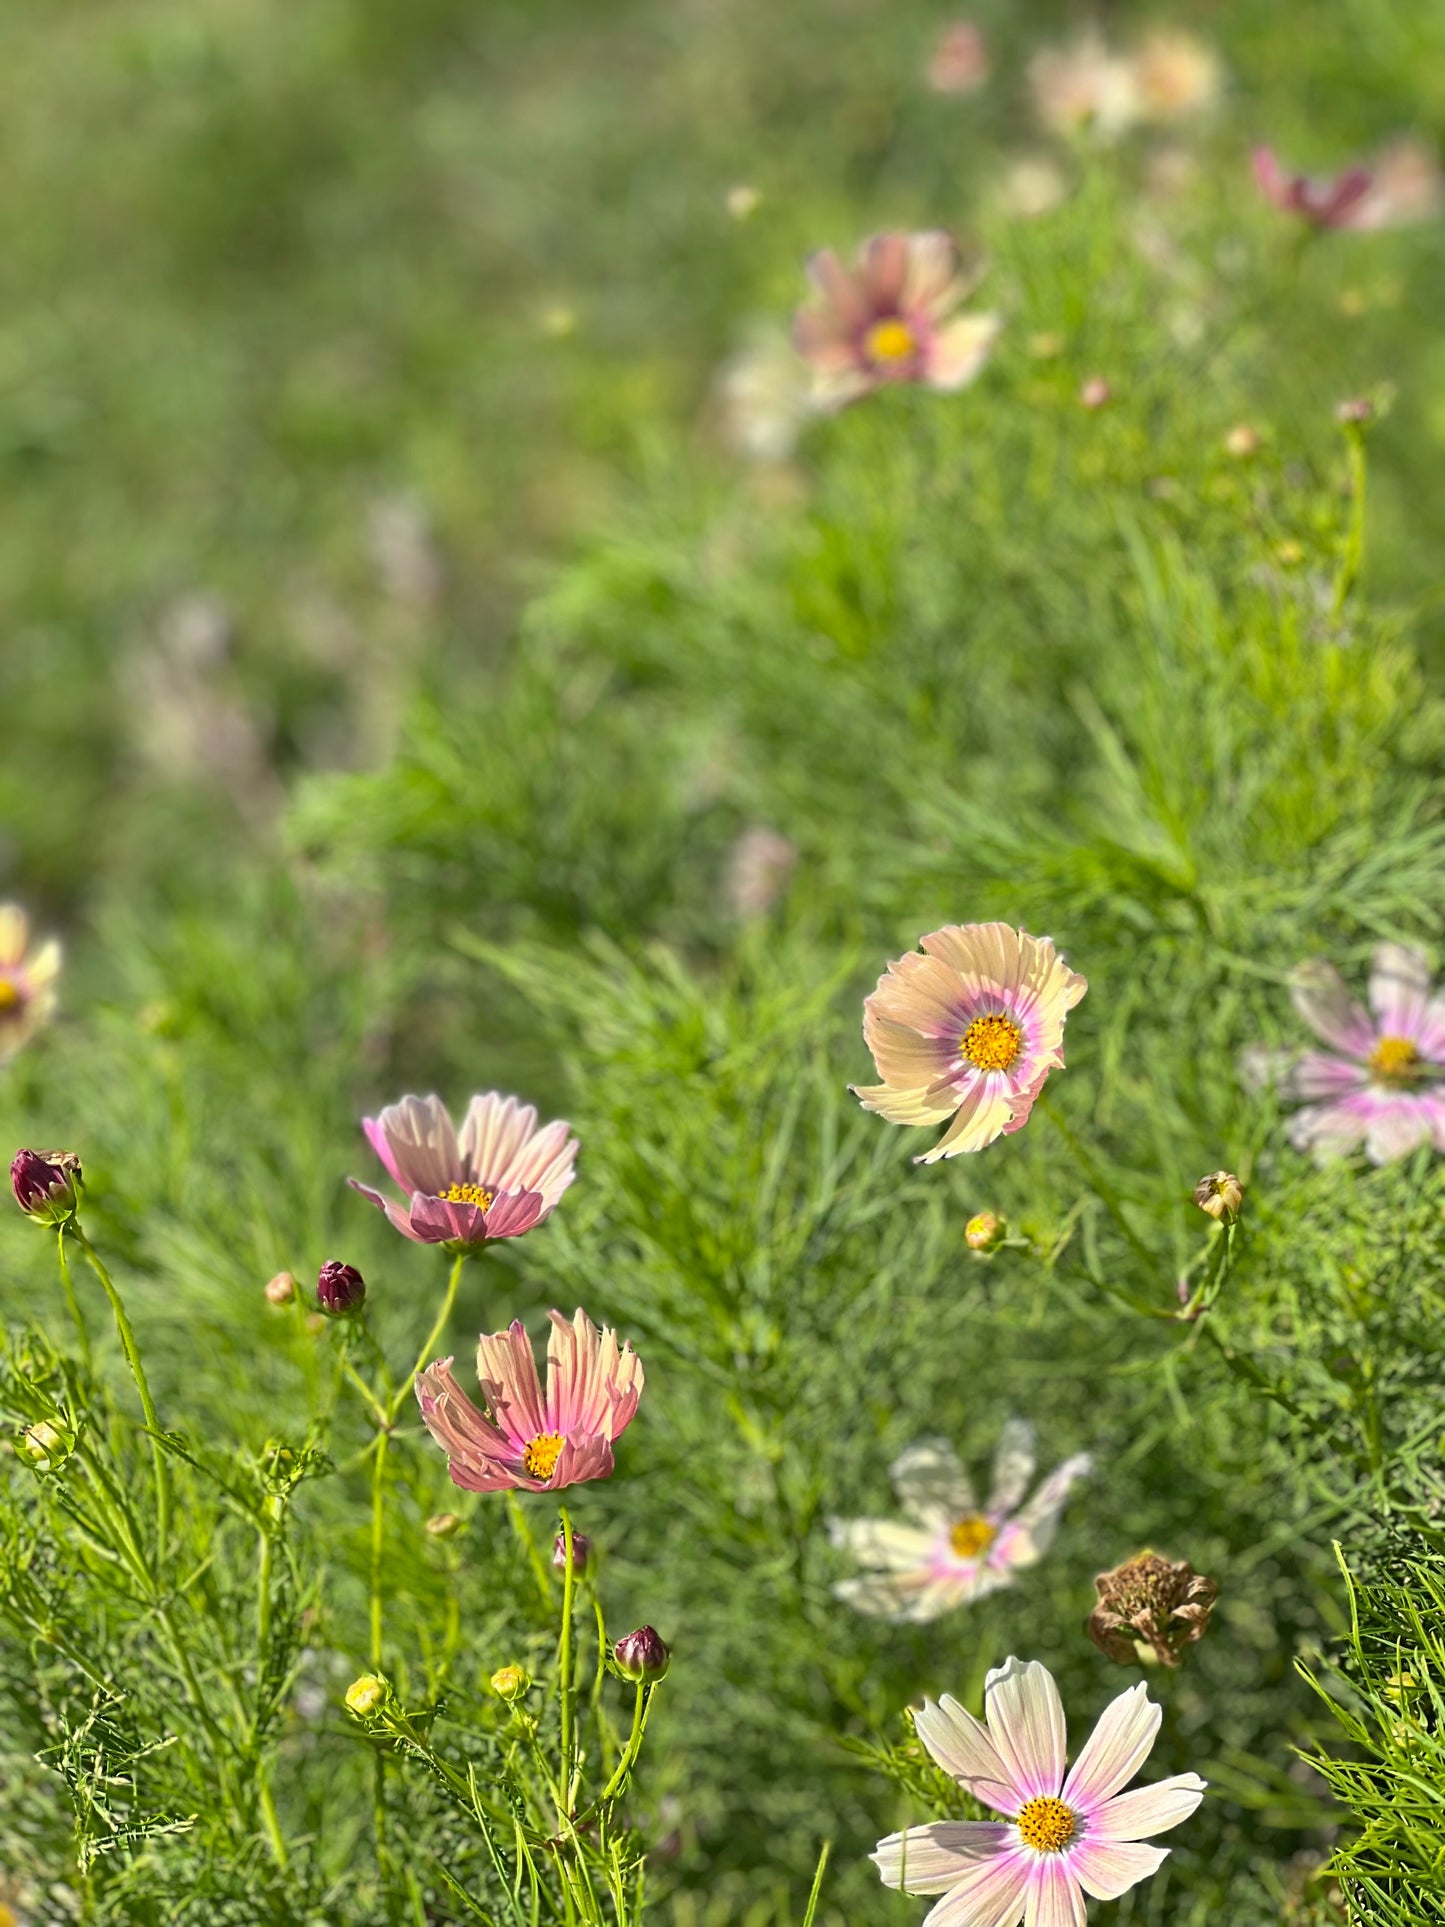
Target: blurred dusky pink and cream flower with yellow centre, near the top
column 891, row 319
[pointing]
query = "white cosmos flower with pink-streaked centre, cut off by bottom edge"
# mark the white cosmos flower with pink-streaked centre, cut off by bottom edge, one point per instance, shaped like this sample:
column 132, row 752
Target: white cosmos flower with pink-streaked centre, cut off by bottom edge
column 1063, row 1835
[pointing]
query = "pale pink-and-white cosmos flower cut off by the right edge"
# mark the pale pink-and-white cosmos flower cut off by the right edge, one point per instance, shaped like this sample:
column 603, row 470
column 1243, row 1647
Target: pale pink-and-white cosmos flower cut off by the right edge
column 1382, row 1084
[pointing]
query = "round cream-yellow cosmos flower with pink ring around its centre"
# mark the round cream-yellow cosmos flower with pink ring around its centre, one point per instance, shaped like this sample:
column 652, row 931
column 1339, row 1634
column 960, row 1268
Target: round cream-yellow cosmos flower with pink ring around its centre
column 968, row 1030
